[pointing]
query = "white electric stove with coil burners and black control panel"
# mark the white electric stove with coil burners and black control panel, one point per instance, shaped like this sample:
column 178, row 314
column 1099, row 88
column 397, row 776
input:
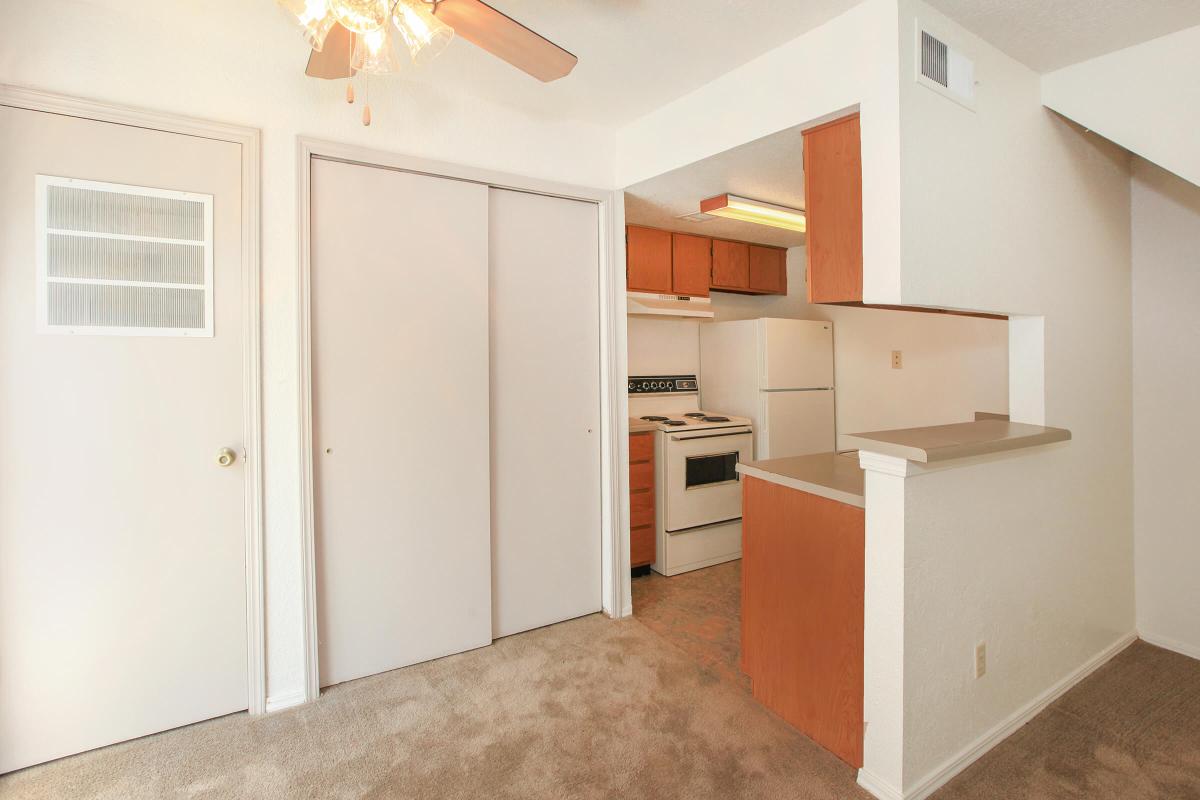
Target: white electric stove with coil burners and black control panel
column 698, row 490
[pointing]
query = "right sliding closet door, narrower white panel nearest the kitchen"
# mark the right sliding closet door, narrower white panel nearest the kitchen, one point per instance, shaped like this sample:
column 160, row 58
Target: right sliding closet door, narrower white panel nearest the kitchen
column 545, row 347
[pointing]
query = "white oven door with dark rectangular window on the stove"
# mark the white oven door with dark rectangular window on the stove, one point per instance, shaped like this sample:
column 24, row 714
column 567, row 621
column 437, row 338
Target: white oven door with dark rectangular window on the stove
column 703, row 484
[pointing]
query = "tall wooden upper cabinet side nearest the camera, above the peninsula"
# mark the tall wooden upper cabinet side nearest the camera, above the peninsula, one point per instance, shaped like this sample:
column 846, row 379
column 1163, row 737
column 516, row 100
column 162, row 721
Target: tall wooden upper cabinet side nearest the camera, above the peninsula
column 833, row 199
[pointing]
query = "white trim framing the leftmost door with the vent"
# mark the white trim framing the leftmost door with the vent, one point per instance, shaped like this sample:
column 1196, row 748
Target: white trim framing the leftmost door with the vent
column 250, row 141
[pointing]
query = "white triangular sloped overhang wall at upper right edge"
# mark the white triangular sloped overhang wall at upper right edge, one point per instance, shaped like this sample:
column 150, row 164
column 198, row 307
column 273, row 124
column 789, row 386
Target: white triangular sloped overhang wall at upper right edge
column 1144, row 98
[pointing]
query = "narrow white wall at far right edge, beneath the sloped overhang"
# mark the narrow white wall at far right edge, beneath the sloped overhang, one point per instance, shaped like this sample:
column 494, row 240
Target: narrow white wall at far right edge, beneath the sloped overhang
column 1166, row 401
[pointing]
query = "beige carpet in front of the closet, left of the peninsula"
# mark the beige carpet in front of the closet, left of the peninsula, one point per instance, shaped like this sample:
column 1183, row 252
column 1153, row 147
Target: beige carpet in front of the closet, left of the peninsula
column 584, row 709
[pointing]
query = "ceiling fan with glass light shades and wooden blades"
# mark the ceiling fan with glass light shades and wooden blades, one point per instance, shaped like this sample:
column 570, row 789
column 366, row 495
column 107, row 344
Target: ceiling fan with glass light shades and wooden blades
column 352, row 38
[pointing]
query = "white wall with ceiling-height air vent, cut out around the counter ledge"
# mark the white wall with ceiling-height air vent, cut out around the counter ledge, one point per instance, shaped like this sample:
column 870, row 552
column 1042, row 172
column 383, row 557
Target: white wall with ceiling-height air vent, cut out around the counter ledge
column 1012, row 209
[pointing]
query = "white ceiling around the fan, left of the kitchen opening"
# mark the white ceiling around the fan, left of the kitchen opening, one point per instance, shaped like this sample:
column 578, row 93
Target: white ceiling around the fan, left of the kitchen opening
column 635, row 56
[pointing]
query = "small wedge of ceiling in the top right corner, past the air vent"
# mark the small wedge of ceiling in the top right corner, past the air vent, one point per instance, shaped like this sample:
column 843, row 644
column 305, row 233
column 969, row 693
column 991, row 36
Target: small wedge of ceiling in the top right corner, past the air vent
column 1049, row 34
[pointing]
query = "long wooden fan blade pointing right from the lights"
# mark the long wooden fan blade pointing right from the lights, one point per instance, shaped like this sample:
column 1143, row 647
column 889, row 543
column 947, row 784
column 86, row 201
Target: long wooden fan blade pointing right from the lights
column 507, row 39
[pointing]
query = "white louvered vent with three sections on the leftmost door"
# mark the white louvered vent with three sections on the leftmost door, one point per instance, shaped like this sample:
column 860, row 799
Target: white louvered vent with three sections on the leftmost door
column 123, row 261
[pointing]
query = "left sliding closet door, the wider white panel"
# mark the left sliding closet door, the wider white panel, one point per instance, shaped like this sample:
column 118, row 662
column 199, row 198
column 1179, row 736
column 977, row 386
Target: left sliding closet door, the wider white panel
column 400, row 418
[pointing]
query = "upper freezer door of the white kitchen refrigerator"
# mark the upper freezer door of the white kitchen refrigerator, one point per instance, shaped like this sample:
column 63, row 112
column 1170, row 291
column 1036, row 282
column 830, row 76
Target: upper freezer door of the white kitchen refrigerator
column 795, row 354
